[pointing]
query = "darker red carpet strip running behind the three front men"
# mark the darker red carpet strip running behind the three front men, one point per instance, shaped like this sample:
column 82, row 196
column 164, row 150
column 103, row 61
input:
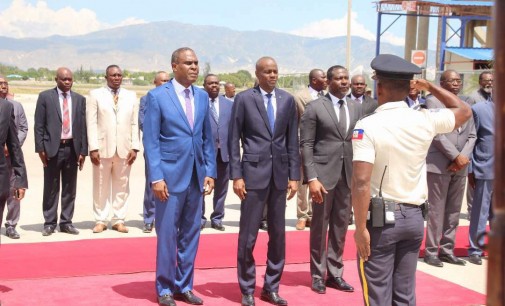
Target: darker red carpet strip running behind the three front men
column 131, row 255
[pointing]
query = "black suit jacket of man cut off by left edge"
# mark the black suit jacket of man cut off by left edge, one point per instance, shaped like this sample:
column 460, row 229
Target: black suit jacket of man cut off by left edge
column 9, row 137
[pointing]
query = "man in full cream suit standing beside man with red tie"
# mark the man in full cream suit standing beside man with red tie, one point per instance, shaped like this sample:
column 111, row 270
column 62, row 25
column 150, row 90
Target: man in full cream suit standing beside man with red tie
column 113, row 141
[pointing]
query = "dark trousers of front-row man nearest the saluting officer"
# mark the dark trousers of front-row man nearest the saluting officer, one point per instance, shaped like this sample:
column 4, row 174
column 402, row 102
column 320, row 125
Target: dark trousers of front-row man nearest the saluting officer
column 330, row 219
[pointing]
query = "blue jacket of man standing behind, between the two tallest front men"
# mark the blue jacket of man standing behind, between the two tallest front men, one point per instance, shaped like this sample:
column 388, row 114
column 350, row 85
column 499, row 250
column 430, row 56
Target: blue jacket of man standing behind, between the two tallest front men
column 220, row 132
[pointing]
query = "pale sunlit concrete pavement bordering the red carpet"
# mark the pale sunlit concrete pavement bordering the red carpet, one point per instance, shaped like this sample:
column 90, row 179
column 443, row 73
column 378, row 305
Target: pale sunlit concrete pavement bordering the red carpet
column 31, row 223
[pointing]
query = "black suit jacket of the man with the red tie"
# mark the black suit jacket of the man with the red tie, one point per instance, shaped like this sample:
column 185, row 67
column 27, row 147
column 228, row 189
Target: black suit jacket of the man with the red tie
column 48, row 123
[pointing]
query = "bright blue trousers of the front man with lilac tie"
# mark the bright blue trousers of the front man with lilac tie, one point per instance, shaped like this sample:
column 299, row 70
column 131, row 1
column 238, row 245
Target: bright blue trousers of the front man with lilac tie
column 178, row 232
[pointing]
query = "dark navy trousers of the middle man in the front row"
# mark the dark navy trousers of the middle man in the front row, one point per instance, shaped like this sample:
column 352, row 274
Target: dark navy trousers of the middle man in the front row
column 251, row 213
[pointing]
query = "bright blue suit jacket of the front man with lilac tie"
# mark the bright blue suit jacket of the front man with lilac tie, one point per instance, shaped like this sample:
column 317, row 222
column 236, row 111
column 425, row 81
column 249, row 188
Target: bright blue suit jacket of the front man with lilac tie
column 172, row 148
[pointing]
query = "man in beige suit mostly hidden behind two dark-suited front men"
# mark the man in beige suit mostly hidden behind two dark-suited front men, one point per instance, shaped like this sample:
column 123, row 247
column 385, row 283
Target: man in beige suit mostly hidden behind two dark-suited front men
column 315, row 89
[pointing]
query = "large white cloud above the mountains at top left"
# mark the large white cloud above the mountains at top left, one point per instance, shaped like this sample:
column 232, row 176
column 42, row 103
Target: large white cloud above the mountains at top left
column 23, row 19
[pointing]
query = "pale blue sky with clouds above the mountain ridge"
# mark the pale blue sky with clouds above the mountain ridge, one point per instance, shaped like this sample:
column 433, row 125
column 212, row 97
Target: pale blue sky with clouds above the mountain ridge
column 317, row 18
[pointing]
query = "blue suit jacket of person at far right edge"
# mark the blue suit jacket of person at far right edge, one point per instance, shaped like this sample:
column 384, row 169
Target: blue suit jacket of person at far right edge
column 483, row 152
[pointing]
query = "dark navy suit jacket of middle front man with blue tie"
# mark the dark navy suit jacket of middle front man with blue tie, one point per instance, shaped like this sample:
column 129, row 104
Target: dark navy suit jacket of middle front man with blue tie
column 266, row 156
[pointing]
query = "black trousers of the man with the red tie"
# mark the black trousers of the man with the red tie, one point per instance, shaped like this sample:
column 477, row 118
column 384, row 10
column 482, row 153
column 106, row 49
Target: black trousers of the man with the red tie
column 64, row 164
